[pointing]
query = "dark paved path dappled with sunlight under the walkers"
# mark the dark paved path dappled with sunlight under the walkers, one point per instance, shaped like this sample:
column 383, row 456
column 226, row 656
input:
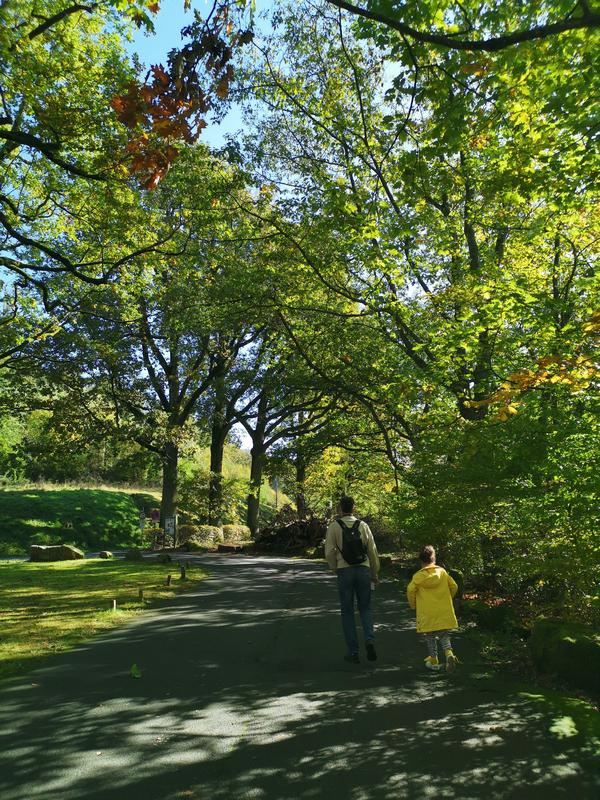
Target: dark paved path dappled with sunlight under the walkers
column 244, row 695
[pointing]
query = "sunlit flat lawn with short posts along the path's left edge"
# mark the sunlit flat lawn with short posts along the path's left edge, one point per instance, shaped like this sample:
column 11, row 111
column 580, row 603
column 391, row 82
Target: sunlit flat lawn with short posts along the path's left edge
column 46, row 608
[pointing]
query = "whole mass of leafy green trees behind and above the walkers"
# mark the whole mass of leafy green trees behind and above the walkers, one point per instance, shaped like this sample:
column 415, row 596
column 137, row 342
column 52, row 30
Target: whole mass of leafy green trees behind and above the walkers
column 386, row 280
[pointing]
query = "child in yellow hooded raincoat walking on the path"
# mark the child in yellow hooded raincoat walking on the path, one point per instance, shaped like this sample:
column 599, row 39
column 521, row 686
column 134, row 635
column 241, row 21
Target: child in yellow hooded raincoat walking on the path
column 431, row 591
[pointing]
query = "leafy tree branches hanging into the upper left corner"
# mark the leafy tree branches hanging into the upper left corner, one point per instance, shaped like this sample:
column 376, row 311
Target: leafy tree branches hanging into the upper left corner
column 59, row 145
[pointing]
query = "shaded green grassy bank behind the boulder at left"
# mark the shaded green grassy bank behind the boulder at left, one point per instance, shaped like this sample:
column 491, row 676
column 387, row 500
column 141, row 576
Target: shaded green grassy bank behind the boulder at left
column 92, row 519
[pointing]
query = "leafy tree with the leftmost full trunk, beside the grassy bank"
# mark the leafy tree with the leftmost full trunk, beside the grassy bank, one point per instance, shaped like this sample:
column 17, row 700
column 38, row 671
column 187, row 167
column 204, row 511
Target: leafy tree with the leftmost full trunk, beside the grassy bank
column 152, row 345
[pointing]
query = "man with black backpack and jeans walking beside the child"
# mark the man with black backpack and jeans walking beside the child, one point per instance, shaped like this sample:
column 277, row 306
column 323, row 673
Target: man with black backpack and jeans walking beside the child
column 351, row 553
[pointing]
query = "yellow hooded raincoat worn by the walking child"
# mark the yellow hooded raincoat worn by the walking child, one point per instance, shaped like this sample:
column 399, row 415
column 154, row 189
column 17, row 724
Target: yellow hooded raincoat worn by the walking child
column 431, row 591
